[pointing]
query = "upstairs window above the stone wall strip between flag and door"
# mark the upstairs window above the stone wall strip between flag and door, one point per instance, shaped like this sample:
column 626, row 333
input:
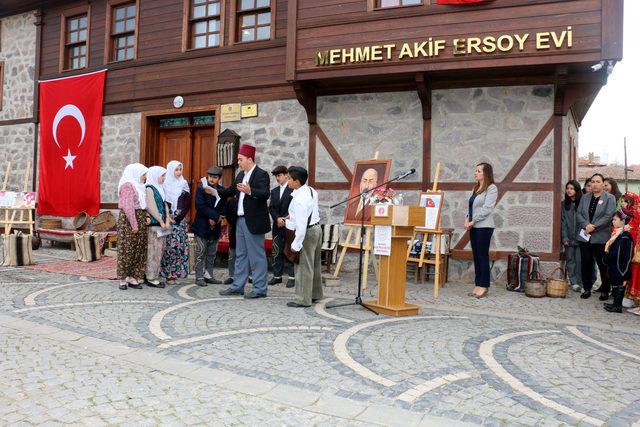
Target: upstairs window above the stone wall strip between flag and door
column 122, row 25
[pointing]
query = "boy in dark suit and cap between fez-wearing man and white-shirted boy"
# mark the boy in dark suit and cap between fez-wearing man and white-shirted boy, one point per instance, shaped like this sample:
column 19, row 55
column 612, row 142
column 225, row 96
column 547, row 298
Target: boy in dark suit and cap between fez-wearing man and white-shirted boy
column 279, row 210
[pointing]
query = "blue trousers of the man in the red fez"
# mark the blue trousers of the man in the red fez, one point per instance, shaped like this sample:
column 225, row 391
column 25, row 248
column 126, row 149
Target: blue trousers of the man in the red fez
column 250, row 257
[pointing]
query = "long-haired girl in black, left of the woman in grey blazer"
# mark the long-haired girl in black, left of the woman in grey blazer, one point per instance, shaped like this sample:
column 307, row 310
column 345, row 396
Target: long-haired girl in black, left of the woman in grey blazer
column 570, row 230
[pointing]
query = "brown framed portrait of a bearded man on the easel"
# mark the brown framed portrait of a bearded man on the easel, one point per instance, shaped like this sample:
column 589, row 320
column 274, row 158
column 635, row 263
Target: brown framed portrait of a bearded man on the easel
column 367, row 175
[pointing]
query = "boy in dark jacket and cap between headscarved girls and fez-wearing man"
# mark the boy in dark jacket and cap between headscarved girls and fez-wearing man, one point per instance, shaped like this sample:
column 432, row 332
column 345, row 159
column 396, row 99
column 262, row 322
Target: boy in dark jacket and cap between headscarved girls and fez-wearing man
column 206, row 226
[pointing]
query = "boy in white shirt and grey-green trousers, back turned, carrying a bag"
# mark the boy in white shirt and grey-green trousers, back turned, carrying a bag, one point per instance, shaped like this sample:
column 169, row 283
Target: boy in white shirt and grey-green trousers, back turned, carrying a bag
column 304, row 219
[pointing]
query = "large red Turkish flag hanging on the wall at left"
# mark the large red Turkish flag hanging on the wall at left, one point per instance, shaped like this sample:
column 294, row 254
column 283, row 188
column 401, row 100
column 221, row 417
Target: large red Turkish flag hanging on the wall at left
column 70, row 120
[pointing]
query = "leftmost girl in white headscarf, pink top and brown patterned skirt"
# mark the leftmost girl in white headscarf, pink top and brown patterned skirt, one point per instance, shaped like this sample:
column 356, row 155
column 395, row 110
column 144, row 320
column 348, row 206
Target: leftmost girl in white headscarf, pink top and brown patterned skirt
column 132, row 226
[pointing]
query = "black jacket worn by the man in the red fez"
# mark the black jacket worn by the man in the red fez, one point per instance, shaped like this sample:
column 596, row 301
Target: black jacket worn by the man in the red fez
column 256, row 212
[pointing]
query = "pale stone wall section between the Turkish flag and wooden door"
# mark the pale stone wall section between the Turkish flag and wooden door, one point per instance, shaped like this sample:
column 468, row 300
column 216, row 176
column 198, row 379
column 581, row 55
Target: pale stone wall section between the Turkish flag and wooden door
column 120, row 146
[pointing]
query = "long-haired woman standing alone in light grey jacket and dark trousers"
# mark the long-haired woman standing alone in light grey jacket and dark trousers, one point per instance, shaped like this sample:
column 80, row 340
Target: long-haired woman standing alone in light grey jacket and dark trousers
column 480, row 224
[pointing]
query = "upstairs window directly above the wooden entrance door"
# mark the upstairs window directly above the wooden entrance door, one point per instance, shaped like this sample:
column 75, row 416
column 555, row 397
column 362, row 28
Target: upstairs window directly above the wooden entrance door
column 204, row 23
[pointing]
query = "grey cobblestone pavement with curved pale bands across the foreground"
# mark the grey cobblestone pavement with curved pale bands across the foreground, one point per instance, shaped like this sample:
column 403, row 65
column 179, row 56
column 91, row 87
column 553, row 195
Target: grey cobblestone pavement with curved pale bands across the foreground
column 78, row 350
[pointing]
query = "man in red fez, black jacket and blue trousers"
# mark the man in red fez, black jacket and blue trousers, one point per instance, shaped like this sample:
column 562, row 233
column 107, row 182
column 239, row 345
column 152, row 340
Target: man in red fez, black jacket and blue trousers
column 251, row 190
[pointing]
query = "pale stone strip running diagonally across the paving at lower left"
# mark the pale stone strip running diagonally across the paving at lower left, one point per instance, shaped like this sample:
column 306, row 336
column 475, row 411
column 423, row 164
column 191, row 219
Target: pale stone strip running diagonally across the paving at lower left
column 285, row 395
